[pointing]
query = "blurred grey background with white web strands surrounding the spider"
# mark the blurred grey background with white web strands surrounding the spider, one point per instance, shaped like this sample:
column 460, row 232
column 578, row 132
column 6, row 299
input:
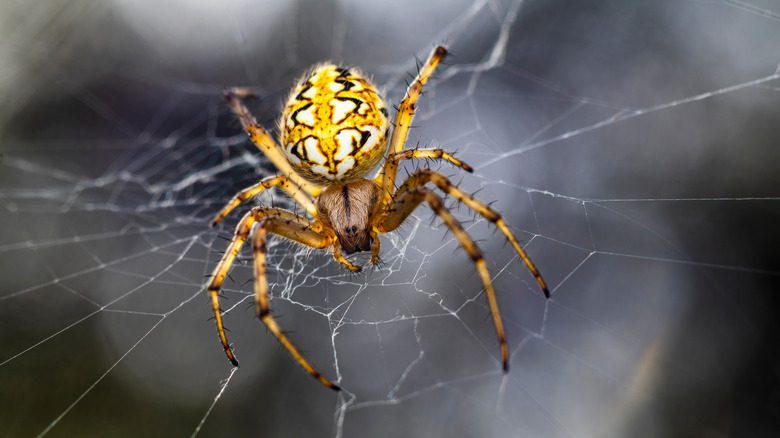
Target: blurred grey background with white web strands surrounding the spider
column 630, row 145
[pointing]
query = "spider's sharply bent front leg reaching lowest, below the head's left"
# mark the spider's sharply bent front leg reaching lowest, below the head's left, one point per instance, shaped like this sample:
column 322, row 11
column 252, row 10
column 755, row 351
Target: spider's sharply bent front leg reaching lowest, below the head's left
column 299, row 233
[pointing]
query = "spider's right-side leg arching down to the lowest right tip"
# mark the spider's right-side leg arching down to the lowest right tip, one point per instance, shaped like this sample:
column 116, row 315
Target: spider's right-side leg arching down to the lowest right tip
column 406, row 200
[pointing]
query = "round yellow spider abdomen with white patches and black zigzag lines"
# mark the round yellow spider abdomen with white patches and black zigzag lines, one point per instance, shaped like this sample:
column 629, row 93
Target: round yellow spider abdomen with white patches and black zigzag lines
column 334, row 125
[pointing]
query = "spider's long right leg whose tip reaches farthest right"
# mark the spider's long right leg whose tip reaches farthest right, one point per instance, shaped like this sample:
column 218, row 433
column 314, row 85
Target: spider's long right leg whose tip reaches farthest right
column 423, row 176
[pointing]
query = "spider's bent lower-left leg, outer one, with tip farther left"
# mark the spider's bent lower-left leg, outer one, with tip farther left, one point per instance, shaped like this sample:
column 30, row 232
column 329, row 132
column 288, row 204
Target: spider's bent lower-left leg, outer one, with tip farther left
column 299, row 229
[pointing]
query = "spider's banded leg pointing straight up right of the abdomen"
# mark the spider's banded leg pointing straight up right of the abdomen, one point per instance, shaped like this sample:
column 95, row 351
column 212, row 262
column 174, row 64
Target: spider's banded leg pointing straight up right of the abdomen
column 403, row 118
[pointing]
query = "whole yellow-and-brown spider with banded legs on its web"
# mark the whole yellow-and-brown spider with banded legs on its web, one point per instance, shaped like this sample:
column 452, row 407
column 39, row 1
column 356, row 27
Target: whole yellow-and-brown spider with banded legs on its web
column 334, row 130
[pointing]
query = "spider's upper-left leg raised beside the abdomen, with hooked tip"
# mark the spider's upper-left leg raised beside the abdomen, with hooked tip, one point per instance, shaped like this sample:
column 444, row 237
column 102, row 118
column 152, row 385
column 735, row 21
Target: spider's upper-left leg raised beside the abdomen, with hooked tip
column 264, row 141
